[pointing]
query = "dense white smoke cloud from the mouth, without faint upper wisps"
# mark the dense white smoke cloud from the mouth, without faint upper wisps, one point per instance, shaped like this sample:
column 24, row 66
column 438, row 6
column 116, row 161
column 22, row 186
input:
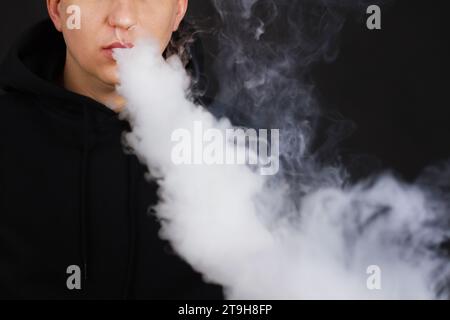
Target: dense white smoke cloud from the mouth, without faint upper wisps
column 247, row 233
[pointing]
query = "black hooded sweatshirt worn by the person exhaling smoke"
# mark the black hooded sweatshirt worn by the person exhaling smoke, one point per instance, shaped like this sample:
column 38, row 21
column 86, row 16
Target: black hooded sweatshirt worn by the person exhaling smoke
column 70, row 195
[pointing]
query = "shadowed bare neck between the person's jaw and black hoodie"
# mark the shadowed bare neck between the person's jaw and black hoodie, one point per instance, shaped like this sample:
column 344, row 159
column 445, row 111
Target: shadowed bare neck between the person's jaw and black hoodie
column 83, row 83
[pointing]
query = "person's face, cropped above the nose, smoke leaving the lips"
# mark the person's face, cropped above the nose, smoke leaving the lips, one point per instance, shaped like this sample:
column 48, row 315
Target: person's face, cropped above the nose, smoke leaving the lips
column 108, row 23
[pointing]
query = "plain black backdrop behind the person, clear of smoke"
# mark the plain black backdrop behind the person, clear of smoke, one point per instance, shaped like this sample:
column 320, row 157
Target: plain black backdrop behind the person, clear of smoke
column 392, row 83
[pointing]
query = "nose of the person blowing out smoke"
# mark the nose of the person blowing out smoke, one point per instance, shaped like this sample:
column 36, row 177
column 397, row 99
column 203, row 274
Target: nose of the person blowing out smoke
column 123, row 14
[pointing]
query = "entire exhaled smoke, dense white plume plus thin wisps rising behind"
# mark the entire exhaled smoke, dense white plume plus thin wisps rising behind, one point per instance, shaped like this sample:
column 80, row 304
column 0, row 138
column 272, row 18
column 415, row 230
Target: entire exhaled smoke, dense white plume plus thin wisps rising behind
column 306, row 232
